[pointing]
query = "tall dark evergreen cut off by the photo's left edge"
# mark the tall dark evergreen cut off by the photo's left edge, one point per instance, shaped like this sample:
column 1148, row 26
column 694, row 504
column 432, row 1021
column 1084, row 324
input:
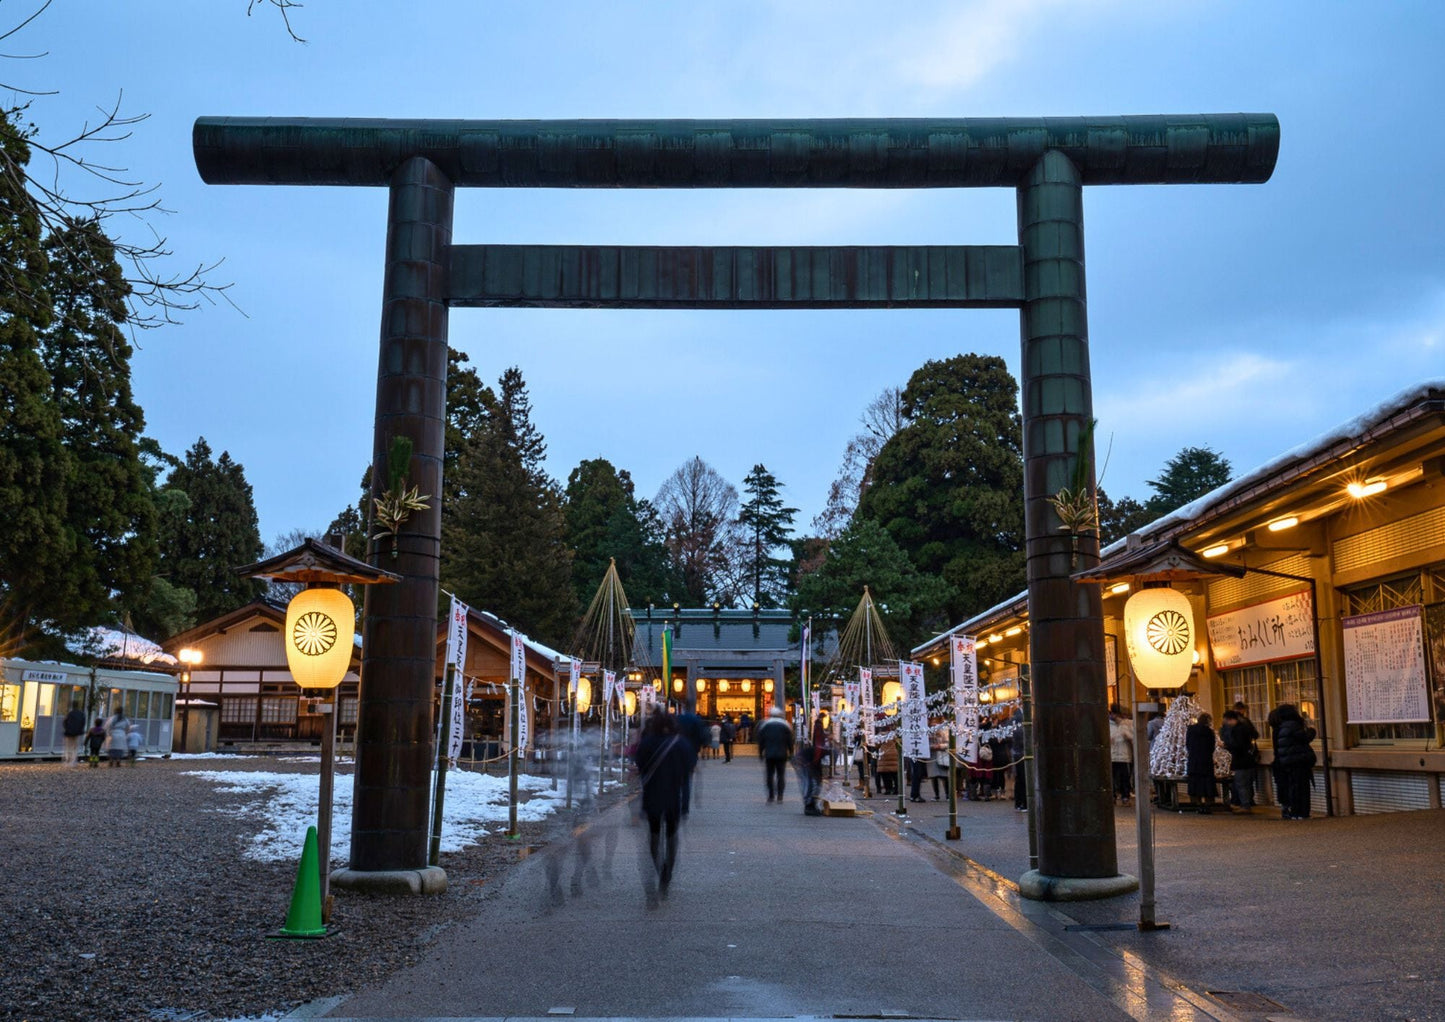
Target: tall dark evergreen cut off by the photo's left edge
column 35, row 543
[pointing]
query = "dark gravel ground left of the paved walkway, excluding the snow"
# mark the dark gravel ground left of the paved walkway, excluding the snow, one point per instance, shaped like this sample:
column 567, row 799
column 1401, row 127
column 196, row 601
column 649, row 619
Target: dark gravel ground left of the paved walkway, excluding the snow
column 126, row 900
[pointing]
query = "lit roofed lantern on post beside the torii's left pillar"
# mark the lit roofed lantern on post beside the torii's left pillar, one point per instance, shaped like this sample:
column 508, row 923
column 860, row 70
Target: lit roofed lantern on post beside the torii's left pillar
column 320, row 641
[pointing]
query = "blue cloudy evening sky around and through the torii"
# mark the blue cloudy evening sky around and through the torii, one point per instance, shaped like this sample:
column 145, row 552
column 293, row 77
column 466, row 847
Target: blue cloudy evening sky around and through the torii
column 1245, row 317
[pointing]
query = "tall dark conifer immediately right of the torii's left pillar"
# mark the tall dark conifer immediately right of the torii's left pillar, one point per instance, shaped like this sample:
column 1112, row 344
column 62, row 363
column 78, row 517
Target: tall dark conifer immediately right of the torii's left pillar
column 504, row 531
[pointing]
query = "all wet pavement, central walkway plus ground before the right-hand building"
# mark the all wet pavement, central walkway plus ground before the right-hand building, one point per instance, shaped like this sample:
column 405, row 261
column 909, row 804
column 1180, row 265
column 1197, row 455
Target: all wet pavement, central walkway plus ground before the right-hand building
column 775, row 914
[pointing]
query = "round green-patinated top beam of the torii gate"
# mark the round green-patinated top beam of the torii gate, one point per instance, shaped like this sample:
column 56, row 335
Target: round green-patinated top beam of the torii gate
column 915, row 153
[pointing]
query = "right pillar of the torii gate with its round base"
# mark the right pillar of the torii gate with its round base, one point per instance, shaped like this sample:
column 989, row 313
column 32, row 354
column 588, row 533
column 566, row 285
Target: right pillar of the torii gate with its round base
column 1076, row 809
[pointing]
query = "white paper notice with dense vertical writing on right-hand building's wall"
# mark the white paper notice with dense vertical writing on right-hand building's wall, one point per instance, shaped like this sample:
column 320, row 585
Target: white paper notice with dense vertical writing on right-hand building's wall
column 1385, row 669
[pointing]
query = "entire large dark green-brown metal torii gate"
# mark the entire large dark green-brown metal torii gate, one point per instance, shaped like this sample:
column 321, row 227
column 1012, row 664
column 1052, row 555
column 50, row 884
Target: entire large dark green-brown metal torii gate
column 1048, row 161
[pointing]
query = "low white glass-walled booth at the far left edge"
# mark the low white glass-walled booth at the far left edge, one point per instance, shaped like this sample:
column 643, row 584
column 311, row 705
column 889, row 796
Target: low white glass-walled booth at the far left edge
column 35, row 699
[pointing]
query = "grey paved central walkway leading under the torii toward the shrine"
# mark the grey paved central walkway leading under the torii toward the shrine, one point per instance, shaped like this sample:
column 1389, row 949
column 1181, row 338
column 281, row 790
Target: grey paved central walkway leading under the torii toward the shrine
column 772, row 916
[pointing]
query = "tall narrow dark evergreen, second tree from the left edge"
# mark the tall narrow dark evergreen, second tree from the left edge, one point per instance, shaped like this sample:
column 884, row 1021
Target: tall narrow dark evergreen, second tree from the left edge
column 111, row 514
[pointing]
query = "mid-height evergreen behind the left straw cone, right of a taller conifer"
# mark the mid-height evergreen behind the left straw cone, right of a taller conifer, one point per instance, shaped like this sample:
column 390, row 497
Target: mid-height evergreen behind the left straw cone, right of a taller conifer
column 606, row 521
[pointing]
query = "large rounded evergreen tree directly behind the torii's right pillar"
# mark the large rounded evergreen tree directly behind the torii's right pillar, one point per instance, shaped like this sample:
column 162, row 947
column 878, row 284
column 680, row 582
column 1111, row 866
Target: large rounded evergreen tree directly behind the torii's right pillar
column 949, row 486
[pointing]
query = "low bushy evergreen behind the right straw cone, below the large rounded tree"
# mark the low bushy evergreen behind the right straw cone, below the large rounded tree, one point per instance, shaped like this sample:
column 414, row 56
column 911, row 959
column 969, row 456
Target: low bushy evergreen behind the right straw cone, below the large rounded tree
column 866, row 556
